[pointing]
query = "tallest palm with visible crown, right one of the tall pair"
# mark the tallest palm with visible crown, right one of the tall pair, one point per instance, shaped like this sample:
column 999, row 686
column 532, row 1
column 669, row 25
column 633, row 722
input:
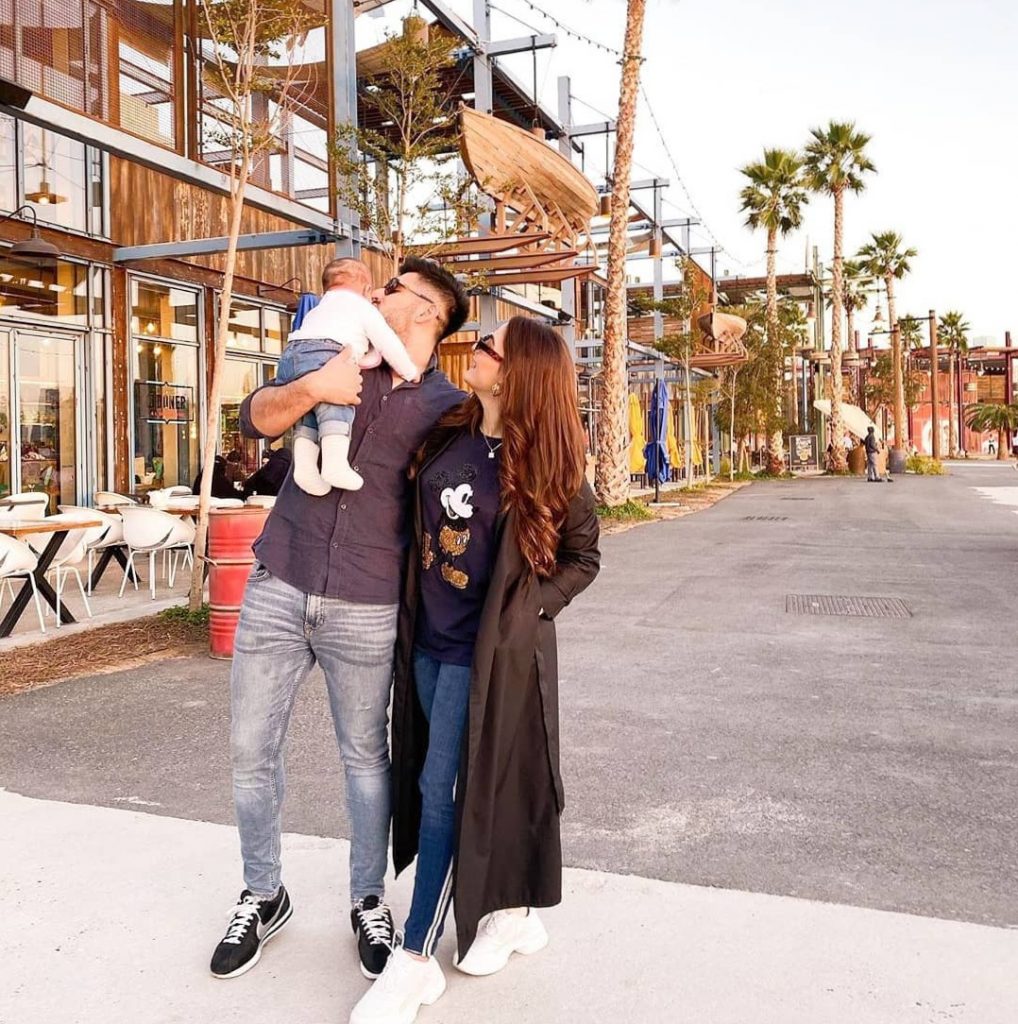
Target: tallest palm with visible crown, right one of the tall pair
column 836, row 161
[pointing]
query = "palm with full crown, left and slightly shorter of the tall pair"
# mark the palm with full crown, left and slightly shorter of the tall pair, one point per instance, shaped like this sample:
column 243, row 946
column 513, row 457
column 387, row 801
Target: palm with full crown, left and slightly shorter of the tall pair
column 774, row 200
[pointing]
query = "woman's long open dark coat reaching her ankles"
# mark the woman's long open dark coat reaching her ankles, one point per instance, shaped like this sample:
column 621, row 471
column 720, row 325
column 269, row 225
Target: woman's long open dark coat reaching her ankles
column 510, row 792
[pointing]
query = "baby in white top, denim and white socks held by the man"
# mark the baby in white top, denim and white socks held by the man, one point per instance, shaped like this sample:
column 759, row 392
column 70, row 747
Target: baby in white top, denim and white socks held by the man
column 345, row 319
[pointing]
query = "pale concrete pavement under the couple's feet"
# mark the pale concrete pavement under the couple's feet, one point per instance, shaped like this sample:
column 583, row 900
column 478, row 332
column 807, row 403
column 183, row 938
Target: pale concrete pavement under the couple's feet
column 114, row 916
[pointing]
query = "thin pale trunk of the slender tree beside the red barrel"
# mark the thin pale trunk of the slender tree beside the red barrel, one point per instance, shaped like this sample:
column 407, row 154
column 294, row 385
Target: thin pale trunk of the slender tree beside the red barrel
column 197, row 595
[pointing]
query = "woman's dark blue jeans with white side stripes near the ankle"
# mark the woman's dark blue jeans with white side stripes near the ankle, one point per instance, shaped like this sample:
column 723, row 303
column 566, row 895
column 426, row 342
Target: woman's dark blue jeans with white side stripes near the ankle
column 445, row 694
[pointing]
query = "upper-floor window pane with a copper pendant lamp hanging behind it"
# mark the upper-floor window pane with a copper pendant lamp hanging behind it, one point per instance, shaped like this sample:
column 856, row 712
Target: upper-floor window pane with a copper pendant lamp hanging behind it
column 55, row 178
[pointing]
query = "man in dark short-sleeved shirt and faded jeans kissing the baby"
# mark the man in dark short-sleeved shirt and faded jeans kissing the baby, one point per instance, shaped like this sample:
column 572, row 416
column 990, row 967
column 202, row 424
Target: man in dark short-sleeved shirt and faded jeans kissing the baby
column 325, row 589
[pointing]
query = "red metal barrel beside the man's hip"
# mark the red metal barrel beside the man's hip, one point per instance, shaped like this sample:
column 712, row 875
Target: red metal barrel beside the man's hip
column 232, row 532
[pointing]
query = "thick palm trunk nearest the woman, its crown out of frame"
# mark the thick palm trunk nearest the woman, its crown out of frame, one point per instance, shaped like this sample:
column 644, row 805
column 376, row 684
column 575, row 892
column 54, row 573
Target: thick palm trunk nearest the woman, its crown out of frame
column 612, row 476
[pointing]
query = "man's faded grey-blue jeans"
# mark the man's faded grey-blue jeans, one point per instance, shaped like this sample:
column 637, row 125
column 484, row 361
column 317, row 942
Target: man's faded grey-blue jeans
column 281, row 635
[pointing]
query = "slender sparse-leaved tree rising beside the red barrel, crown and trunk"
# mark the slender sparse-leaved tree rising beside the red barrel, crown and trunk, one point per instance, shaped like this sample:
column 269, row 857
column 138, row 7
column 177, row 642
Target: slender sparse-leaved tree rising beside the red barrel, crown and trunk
column 251, row 60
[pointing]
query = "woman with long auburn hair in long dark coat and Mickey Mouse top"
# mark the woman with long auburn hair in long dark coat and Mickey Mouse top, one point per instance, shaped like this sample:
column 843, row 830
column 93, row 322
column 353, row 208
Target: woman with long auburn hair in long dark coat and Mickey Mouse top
column 505, row 536
